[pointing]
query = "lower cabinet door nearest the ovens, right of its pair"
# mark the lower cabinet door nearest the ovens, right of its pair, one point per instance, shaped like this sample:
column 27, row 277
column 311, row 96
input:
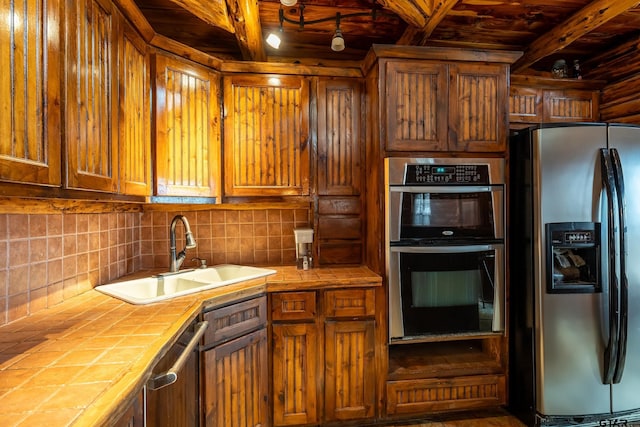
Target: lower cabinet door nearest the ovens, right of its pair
column 350, row 380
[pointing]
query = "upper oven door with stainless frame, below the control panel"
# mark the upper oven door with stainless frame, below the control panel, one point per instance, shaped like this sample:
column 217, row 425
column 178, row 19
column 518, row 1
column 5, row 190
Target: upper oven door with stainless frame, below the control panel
column 457, row 212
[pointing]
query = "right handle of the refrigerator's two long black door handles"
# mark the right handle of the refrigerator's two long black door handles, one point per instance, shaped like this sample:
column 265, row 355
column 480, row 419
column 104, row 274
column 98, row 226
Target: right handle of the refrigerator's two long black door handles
column 624, row 284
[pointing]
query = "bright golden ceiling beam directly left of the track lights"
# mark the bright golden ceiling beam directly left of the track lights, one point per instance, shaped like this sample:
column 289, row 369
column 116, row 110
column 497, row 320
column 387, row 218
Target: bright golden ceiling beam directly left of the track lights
column 245, row 17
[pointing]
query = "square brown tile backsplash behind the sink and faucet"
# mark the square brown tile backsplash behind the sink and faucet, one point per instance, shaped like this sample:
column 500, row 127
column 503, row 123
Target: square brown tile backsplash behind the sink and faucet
column 47, row 258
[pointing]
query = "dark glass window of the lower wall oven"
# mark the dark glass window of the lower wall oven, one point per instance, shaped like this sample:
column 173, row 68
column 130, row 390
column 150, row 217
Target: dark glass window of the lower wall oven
column 447, row 293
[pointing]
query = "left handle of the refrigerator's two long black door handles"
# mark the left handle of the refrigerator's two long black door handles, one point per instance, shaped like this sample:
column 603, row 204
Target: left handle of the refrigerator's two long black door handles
column 611, row 352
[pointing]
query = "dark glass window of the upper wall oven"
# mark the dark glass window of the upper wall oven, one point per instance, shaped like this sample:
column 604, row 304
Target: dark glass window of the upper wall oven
column 437, row 215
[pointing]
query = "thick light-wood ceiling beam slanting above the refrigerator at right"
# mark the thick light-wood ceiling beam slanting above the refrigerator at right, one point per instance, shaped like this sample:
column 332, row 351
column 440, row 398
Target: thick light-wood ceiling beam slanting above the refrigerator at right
column 582, row 22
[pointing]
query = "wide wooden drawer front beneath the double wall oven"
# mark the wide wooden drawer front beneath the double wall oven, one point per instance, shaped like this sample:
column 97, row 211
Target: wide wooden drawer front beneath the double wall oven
column 425, row 395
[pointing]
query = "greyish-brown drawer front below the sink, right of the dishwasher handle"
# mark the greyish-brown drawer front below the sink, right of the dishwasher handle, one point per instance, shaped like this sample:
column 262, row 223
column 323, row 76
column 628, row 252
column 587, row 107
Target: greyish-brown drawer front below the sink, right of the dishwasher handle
column 234, row 320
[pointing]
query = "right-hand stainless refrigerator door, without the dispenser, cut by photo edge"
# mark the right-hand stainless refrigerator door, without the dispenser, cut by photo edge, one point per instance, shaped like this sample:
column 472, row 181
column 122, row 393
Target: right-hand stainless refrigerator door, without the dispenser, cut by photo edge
column 626, row 139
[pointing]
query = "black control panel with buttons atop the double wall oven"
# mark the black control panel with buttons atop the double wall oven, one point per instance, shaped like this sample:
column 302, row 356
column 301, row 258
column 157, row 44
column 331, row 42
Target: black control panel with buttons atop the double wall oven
column 446, row 174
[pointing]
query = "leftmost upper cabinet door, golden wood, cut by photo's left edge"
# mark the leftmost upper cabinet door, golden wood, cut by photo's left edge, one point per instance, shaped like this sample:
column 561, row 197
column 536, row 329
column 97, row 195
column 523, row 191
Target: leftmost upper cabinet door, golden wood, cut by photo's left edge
column 30, row 135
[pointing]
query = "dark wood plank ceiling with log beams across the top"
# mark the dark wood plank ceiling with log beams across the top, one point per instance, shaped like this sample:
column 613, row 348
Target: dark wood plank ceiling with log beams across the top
column 545, row 30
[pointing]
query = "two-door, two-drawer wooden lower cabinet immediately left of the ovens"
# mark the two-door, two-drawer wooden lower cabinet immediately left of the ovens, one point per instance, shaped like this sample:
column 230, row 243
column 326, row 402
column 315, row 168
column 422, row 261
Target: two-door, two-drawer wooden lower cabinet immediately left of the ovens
column 323, row 362
